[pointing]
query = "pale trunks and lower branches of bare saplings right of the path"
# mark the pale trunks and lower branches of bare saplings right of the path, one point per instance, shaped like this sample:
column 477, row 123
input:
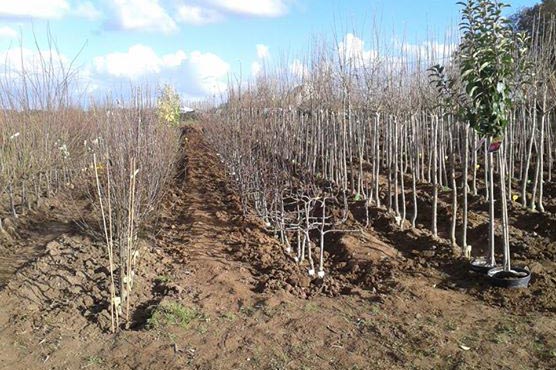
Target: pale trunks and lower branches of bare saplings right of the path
column 291, row 163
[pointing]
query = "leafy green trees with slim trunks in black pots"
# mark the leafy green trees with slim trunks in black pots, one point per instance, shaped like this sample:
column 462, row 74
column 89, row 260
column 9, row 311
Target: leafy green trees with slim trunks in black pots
column 490, row 70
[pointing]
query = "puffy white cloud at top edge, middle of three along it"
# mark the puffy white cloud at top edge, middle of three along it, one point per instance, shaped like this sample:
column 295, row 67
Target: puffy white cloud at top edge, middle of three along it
column 141, row 15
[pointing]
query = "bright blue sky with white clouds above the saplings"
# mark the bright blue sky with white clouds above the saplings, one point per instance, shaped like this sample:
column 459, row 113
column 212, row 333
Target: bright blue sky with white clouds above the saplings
column 197, row 44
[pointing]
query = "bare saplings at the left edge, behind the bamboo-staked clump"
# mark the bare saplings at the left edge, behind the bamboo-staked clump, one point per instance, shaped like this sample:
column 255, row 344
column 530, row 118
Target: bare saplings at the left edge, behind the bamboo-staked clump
column 35, row 160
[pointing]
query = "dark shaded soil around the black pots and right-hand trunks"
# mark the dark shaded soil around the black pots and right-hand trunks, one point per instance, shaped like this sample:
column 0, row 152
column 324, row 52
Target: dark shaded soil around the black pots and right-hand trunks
column 532, row 244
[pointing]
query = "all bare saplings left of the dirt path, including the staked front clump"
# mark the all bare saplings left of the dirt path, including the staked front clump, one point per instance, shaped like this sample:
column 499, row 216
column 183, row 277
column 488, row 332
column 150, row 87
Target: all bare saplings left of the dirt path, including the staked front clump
column 115, row 157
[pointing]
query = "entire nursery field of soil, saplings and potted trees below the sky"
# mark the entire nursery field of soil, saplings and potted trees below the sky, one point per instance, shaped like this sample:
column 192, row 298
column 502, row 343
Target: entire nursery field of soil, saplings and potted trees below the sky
column 388, row 210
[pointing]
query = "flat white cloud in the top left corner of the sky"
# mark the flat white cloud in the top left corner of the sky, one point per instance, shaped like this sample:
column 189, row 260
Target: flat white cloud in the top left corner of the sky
column 42, row 9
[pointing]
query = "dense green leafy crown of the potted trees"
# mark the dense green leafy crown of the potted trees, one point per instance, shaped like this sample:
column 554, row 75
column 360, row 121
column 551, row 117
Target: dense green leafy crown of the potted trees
column 491, row 65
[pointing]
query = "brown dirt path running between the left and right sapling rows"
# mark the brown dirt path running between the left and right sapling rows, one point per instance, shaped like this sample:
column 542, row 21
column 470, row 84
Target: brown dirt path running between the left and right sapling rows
column 201, row 227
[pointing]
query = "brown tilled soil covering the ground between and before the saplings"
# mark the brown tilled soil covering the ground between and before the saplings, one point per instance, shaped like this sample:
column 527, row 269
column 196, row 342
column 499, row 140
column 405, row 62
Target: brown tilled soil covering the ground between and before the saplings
column 216, row 291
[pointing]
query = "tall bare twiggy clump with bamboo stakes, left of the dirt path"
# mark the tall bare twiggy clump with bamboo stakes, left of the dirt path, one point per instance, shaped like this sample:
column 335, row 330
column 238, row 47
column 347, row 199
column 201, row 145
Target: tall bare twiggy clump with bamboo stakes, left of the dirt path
column 135, row 150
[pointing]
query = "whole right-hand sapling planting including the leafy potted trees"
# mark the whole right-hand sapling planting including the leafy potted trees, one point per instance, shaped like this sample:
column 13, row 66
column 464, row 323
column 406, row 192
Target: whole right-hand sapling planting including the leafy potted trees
column 370, row 130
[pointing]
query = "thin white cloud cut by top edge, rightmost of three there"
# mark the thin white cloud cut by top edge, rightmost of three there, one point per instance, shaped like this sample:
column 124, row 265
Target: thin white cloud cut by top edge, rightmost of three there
column 259, row 8
